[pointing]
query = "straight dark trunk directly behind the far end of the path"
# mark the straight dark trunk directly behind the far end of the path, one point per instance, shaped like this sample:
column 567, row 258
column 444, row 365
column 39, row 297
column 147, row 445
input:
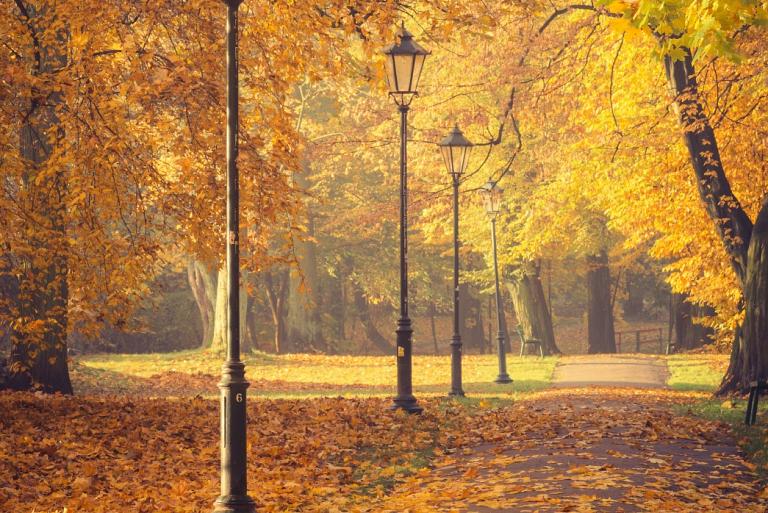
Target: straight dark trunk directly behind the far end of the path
column 600, row 337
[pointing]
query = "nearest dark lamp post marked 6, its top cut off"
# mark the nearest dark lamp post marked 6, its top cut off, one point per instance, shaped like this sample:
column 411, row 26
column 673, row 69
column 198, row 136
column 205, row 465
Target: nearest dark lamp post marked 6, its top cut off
column 234, row 490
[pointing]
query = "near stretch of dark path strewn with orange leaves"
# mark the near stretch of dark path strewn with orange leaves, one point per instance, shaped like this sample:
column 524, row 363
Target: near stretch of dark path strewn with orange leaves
column 596, row 450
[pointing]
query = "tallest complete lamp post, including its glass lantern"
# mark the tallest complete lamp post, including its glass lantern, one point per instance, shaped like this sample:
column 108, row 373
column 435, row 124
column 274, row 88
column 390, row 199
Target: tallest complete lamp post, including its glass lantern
column 404, row 62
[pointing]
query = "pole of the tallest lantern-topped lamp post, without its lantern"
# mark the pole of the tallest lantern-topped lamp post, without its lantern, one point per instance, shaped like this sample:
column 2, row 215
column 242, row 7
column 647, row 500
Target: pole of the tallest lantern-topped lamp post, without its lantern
column 405, row 399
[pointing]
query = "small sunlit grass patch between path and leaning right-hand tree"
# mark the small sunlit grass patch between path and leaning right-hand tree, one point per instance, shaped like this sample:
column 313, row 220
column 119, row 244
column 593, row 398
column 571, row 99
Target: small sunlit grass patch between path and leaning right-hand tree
column 696, row 372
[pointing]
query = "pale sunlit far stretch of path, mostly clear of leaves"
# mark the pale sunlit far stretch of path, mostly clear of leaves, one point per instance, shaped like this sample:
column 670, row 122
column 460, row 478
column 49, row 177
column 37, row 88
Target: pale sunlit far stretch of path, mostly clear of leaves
column 636, row 371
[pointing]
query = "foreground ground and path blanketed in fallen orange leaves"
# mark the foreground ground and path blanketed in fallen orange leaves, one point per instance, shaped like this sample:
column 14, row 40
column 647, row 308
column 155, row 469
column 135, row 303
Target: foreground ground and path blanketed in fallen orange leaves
column 564, row 450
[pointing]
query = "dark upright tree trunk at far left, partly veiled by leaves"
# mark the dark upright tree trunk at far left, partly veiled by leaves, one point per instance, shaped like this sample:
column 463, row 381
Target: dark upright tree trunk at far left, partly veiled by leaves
column 39, row 337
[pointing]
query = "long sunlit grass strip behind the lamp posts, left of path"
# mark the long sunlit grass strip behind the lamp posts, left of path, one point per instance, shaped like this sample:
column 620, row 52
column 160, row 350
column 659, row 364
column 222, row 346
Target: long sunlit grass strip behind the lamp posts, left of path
column 304, row 376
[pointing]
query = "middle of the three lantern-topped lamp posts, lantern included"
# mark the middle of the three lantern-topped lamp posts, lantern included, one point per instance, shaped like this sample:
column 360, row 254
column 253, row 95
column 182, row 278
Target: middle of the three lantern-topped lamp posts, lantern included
column 455, row 149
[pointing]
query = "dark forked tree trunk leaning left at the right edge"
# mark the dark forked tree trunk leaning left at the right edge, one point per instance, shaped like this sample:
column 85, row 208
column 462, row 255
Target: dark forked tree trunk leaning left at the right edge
column 730, row 220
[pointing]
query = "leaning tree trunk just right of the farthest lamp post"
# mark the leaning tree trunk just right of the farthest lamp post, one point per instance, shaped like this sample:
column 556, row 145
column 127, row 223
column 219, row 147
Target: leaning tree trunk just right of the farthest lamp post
column 531, row 308
